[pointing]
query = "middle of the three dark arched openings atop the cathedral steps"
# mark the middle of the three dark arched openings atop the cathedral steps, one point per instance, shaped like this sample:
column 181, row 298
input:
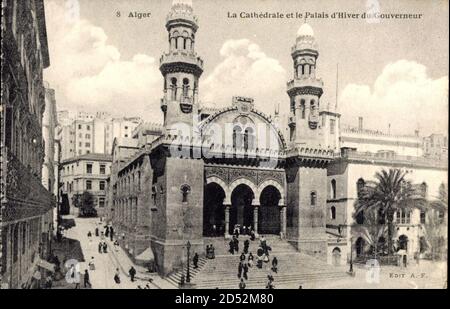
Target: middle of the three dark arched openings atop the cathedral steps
column 241, row 206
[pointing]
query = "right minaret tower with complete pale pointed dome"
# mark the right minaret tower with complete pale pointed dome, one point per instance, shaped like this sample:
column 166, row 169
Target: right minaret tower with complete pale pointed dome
column 305, row 91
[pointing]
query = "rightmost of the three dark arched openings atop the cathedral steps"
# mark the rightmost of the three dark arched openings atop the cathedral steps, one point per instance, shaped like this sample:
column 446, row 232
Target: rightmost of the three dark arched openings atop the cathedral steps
column 269, row 211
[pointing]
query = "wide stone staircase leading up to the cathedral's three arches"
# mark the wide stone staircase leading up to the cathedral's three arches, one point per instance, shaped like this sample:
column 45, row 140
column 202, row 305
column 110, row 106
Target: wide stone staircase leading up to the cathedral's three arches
column 294, row 268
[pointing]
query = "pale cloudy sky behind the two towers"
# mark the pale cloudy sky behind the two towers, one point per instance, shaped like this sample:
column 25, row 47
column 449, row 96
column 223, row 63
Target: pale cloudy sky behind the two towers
column 394, row 71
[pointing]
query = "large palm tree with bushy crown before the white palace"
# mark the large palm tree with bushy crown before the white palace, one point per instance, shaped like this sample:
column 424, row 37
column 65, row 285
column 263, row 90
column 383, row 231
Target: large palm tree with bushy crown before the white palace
column 388, row 194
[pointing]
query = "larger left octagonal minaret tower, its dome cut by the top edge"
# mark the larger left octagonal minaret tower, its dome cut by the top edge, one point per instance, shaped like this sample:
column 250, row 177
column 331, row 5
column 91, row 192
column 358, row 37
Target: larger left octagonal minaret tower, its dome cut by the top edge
column 181, row 68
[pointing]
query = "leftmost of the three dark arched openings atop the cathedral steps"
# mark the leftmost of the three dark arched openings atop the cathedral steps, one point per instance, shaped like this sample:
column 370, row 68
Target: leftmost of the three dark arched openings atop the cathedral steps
column 213, row 210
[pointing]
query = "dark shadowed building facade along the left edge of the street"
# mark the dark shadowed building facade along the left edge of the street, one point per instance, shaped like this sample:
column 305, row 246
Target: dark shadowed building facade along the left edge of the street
column 25, row 203
